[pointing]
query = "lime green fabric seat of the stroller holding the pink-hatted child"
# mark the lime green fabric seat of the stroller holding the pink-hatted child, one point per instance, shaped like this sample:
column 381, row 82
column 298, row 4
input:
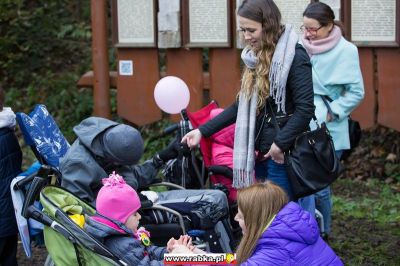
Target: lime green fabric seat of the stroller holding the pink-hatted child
column 69, row 244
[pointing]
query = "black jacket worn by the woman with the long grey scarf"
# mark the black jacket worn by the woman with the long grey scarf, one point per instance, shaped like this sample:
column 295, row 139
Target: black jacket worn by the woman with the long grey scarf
column 299, row 109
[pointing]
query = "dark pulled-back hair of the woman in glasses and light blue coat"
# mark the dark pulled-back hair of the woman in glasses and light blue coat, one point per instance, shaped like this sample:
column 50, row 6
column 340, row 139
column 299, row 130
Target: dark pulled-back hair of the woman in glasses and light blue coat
column 322, row 13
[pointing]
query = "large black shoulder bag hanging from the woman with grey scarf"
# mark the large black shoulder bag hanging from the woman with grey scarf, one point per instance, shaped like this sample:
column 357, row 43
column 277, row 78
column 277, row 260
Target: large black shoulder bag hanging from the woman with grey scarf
column 312, row 163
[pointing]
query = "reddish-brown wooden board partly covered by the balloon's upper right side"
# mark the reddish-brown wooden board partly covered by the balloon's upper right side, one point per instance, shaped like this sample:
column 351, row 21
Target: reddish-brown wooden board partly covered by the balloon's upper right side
column 186, row 64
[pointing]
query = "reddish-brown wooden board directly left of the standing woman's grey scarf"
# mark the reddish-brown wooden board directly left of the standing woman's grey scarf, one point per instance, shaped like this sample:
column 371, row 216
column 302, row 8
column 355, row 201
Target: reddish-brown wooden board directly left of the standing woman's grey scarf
column 224, row 75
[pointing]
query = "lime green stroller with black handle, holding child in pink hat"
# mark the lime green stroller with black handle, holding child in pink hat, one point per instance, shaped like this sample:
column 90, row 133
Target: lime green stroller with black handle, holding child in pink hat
column 70, row 245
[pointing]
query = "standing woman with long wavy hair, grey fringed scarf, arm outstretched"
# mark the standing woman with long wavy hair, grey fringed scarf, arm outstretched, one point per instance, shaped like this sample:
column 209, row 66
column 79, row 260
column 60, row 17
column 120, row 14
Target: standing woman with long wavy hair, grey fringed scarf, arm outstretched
column 277, row 73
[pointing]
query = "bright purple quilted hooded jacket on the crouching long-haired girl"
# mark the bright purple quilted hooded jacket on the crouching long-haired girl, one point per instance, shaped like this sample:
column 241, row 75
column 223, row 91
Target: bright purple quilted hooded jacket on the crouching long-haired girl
column 292, row 239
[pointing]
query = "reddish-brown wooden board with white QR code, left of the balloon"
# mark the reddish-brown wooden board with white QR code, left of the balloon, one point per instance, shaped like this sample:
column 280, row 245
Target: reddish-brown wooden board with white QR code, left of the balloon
column 135, row 94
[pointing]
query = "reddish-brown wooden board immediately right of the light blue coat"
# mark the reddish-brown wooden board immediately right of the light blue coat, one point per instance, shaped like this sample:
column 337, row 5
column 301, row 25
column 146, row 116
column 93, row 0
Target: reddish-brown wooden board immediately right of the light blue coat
column 365, row 113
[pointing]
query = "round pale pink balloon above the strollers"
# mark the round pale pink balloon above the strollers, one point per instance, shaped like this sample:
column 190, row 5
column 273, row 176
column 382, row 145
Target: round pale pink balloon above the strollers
column 171, row 94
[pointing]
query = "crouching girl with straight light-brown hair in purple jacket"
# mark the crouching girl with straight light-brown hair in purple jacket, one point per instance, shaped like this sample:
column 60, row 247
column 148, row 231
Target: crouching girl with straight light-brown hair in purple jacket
column 276, row 232
